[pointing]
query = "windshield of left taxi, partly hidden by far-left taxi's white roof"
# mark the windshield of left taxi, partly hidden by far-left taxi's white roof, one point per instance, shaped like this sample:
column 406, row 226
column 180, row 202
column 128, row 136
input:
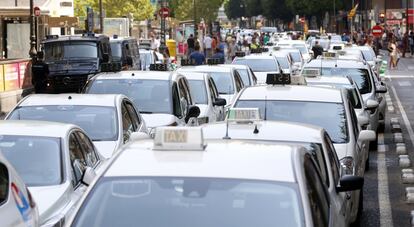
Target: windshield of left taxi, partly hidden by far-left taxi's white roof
column 99, row 122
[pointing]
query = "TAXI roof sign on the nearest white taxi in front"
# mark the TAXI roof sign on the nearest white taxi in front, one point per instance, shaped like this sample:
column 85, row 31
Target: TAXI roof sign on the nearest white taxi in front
column 179, row 138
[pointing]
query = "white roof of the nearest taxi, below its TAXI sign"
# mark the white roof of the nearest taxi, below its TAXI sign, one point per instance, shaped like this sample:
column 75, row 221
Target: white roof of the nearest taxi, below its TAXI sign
column 267, row 161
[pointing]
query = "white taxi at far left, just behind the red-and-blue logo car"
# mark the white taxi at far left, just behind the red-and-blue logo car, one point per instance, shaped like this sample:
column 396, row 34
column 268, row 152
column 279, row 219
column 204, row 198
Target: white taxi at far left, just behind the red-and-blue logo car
column 52, row 159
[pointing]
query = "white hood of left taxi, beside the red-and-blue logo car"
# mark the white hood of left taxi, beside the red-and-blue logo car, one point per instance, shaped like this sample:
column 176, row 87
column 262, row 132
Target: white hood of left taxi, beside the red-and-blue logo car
column 51, row 199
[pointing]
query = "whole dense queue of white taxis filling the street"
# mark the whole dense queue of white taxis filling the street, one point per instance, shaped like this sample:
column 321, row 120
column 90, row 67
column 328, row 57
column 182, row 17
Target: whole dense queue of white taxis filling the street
column 265, row 141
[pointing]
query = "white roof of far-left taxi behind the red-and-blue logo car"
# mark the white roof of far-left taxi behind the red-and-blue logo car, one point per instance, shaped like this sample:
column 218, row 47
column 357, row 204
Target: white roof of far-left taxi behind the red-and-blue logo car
column 35, row 128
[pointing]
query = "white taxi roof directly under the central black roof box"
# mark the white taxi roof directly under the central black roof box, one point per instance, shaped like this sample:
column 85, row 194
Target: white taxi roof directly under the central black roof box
column 292, row 92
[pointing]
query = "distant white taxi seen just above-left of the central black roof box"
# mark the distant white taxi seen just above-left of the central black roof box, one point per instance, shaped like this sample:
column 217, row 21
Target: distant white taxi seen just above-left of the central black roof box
column 261, row 65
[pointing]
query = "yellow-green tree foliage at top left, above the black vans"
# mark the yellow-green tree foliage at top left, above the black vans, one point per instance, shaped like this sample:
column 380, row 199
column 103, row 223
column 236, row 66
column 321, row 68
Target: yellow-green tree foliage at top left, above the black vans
column 141, row 9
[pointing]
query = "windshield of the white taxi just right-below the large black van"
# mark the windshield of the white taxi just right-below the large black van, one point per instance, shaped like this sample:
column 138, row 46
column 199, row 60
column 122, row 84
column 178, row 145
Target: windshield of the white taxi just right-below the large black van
column 150, row 96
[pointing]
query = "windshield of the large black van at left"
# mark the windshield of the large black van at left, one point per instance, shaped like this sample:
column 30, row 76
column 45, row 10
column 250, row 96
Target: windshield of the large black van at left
column 66, row 50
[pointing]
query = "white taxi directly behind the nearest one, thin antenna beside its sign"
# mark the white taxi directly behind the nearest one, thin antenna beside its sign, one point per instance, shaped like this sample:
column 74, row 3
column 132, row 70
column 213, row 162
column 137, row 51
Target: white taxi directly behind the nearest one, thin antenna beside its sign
column 245, row 124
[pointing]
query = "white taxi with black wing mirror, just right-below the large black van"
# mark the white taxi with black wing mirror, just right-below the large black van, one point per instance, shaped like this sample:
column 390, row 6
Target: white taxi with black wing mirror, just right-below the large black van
column 163, row 97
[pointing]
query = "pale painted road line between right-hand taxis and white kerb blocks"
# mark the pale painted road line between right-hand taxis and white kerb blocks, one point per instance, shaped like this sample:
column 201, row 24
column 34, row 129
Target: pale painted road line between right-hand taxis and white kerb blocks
column 383, row 189
